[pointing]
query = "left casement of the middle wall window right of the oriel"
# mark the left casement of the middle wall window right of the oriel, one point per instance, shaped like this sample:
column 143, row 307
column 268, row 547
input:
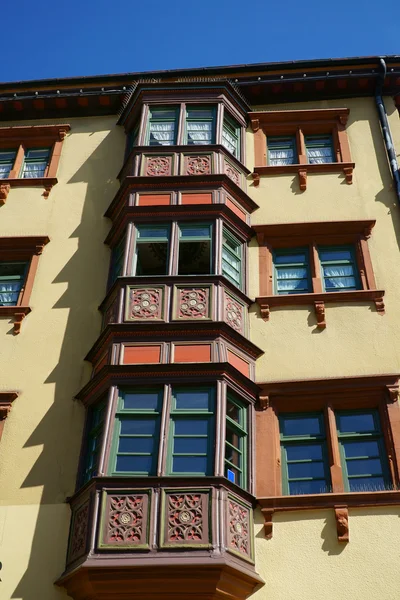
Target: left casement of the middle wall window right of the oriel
column 292, row 273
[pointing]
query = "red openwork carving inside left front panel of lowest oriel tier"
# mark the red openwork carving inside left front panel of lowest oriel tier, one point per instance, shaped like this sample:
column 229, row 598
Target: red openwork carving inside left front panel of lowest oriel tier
column 126, row 520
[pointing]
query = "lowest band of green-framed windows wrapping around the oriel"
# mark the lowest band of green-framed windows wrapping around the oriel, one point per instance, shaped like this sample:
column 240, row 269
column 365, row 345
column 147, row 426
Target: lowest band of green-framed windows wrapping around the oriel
column 169, row 430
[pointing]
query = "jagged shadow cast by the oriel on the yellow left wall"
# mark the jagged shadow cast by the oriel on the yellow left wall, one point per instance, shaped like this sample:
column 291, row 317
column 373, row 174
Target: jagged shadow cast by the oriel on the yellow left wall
column 60, row 431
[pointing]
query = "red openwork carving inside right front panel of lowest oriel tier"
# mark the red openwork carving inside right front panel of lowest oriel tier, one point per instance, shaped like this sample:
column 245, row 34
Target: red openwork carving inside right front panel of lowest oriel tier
column 185, row 518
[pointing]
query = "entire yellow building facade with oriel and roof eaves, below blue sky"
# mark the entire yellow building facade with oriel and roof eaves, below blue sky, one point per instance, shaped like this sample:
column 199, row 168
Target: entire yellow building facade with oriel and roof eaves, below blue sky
column 200, row 334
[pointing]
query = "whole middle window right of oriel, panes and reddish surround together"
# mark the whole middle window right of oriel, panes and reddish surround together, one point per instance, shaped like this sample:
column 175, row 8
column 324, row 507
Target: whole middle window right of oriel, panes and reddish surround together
column 316, row 263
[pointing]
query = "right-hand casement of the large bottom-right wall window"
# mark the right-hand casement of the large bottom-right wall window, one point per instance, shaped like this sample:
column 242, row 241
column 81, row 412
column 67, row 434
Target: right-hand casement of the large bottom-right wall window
column 362, row 450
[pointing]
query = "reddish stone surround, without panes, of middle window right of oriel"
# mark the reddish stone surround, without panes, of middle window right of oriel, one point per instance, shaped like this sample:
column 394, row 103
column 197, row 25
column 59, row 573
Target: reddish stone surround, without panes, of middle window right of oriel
column 310, row 237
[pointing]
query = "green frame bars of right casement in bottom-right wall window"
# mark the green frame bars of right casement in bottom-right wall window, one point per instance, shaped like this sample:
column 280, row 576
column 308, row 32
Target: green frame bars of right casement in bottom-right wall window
column 374, row 435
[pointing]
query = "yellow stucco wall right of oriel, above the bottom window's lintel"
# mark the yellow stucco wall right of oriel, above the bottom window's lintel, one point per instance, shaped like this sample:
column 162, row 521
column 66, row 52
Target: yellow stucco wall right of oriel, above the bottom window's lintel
column 357, row 341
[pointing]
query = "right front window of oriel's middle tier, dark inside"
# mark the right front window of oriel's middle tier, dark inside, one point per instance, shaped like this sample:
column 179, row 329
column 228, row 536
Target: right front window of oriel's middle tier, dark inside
column 195, row 250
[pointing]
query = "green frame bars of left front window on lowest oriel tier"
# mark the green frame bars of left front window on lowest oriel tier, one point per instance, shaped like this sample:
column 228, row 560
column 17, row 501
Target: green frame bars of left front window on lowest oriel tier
column 135, row 414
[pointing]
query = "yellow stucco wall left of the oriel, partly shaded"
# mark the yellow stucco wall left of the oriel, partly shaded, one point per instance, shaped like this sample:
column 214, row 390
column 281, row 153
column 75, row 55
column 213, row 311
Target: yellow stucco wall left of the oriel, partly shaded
column 42, row 434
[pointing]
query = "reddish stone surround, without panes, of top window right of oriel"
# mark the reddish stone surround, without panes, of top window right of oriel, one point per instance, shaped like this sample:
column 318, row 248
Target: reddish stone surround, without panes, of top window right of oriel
column 298, row 125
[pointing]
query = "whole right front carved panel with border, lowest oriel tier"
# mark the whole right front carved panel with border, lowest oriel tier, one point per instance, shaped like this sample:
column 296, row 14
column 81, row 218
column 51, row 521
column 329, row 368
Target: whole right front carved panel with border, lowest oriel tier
column 185, row 516
